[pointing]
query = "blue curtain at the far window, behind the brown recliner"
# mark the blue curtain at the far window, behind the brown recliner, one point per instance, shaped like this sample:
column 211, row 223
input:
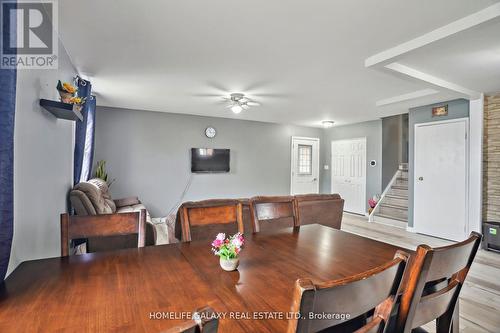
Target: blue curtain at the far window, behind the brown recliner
column 84, row 135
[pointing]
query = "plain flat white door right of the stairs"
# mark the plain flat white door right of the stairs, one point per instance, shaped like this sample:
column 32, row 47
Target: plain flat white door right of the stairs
column 441, row 181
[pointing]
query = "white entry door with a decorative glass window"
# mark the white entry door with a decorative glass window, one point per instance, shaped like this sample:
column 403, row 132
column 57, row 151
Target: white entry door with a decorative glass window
column 305, row 166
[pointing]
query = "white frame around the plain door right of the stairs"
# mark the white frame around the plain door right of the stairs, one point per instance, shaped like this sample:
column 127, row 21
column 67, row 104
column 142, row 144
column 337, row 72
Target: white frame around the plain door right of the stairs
column 467, row 162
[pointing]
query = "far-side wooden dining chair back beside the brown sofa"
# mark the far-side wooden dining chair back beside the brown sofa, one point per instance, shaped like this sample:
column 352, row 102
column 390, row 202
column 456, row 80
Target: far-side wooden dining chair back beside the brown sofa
column 273, row 212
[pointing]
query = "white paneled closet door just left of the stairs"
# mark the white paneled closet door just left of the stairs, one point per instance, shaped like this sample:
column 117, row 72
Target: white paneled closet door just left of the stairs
column 349, row 173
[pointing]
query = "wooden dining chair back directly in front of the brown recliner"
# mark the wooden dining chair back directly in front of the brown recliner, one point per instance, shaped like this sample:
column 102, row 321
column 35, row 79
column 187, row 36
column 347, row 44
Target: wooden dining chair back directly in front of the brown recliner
column 99, row 226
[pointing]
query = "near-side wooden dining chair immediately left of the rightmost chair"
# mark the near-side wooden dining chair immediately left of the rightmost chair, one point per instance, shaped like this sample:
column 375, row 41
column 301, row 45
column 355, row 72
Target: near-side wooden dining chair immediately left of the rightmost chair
column 347, row 302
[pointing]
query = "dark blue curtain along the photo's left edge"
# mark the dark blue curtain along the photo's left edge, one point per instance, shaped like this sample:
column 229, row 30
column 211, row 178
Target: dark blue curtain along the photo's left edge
column 8, row 78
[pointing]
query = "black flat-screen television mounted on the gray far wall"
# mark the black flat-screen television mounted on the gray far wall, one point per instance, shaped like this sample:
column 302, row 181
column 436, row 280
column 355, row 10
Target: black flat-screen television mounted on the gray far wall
column 209, row 160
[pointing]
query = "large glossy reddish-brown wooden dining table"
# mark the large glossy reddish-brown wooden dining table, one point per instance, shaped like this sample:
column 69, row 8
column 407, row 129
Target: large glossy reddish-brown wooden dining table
column 152, row 289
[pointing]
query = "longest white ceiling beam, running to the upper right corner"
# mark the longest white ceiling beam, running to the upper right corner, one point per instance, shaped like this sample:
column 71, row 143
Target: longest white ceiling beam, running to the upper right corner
column 391, row 55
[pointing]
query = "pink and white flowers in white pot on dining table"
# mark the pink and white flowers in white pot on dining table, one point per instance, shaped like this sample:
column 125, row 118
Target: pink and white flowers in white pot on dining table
column 228, row 250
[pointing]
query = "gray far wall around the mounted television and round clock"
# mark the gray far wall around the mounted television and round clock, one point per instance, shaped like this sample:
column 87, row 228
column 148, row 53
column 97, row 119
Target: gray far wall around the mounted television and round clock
column 149, row 155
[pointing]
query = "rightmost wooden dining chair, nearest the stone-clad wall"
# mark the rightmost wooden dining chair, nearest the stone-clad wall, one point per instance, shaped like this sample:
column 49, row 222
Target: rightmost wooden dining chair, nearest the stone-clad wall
column 433, row 283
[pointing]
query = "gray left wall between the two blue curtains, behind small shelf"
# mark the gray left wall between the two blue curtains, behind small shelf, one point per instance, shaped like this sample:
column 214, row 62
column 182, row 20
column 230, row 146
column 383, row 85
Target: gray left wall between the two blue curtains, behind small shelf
column 43, row 164
